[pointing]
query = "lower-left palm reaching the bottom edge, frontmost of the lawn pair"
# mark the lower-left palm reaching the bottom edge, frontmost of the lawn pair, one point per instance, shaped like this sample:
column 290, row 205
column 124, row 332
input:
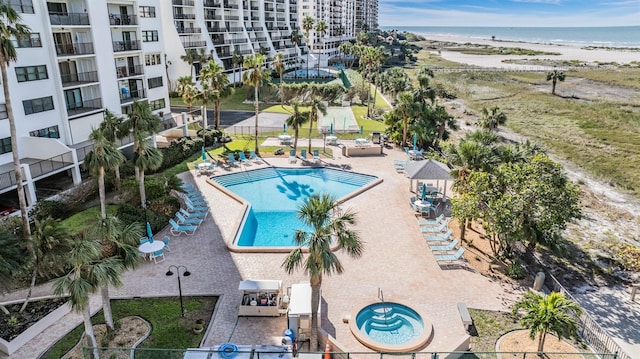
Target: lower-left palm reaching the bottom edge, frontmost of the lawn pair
column 87, row 273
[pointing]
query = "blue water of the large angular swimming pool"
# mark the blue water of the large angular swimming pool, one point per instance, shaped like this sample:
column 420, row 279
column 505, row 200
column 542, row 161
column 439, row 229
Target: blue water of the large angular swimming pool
column 276, row 194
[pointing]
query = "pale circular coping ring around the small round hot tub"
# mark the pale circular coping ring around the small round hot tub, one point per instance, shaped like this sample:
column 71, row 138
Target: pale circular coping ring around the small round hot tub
column 420, row 342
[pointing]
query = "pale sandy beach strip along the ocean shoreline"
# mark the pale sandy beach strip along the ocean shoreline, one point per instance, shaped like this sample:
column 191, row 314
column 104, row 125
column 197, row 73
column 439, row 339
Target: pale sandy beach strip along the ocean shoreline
column 568, row 52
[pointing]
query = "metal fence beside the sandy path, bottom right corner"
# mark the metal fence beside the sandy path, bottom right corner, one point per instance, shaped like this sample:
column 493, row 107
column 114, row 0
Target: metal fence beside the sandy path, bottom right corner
column 592, row 333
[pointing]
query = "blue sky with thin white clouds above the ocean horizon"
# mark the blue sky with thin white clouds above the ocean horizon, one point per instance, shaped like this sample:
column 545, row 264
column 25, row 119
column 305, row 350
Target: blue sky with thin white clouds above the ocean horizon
column 510, row 13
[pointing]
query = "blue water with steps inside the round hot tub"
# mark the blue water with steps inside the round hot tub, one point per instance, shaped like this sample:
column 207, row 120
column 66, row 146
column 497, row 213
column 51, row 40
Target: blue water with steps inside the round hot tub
column 390, row 323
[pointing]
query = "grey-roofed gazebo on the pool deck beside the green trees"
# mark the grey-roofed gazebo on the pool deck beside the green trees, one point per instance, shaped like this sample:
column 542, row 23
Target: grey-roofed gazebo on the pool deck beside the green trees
column 431, row 172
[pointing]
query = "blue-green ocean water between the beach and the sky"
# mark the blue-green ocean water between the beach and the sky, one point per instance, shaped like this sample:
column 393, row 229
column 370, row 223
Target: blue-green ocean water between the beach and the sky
column 623, row 36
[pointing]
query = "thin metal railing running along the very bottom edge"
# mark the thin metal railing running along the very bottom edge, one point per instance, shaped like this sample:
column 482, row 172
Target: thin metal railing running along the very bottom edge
column 276, row 352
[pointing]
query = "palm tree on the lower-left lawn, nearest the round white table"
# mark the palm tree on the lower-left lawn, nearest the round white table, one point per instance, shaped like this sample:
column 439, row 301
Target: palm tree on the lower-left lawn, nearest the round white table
column 119, row 243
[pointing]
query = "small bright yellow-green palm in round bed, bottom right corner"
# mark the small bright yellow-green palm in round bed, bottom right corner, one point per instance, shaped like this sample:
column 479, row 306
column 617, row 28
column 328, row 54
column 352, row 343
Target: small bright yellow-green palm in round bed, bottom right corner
column 548, row 313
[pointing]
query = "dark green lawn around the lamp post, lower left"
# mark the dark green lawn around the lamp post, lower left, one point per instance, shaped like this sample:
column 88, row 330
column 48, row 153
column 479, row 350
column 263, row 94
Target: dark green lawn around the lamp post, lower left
column 169, row 329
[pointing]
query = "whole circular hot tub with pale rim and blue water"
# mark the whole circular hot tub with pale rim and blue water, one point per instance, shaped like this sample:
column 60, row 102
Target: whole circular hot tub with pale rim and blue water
column 390, row 327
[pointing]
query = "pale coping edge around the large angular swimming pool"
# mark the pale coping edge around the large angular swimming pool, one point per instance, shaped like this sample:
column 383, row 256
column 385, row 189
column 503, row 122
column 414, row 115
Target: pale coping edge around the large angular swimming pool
column 246, row 205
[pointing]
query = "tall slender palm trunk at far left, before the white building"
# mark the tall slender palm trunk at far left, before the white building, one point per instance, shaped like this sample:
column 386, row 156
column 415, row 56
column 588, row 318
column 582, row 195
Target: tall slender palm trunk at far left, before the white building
column 26, row 229
